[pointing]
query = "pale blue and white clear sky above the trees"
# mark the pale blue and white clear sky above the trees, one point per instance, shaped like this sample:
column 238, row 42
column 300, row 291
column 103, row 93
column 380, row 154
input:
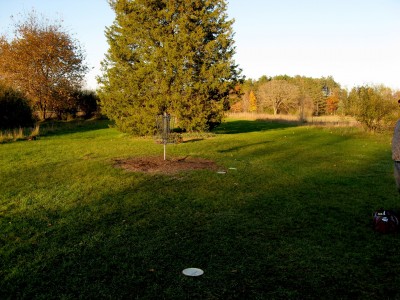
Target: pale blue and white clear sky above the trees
column 357, row 42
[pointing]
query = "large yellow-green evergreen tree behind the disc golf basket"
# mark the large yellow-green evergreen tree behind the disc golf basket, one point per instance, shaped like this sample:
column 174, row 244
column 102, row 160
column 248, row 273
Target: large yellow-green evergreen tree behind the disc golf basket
column 171, row 56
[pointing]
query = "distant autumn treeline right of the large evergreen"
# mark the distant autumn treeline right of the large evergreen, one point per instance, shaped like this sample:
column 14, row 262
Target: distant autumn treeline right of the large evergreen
column 375, row 107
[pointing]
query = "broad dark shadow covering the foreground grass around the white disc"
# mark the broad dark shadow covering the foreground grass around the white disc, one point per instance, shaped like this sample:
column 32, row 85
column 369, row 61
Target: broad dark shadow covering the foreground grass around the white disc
column 134, row 241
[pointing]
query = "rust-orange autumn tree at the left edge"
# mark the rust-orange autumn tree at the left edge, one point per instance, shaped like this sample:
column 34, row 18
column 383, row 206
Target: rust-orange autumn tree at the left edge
column 43, row 62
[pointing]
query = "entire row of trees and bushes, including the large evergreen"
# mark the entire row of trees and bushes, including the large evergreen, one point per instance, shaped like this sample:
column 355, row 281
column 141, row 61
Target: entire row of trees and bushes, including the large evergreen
column 42, row 68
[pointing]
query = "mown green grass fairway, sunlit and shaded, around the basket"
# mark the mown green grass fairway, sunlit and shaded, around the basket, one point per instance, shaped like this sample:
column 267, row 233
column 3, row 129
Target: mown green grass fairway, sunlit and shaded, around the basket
column 291, row 221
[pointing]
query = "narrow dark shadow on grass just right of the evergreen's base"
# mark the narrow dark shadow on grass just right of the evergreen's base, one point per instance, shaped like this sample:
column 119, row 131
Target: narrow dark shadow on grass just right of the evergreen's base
column 245, row 126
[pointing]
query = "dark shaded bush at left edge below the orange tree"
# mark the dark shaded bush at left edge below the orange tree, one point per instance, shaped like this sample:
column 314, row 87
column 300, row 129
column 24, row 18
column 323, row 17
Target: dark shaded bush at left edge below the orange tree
column 15, row 111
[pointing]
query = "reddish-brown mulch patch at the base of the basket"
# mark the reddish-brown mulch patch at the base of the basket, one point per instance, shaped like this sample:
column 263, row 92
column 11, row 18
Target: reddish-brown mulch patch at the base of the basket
column 169, row 166
